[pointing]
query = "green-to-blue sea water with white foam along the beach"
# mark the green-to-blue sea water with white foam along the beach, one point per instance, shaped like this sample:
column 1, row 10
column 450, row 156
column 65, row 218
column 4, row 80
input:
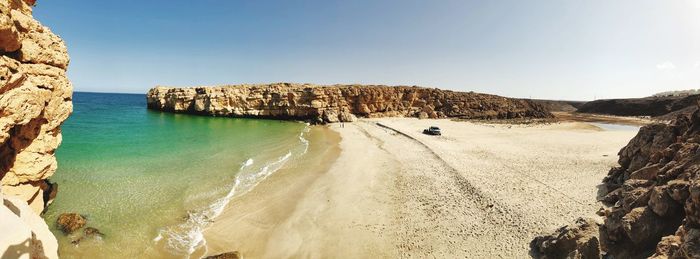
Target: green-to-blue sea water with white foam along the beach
column 152, row 181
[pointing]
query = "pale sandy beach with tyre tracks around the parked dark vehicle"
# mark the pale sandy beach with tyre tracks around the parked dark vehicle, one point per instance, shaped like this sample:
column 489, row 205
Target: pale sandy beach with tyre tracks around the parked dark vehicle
column 380, row 188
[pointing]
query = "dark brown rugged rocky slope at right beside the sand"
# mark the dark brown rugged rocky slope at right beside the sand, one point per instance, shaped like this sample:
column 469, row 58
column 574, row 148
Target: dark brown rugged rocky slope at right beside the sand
column 654, row 196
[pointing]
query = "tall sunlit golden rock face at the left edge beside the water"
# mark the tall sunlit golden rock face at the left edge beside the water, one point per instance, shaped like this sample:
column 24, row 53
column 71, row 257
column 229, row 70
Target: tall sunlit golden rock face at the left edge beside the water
column 35, row 98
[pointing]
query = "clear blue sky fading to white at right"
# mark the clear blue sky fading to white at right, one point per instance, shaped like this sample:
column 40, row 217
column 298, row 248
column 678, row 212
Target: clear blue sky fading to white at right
column 548, row 49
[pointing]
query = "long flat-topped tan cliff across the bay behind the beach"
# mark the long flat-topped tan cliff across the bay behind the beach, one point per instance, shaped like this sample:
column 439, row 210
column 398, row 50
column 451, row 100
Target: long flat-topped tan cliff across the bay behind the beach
column 339, row 103
